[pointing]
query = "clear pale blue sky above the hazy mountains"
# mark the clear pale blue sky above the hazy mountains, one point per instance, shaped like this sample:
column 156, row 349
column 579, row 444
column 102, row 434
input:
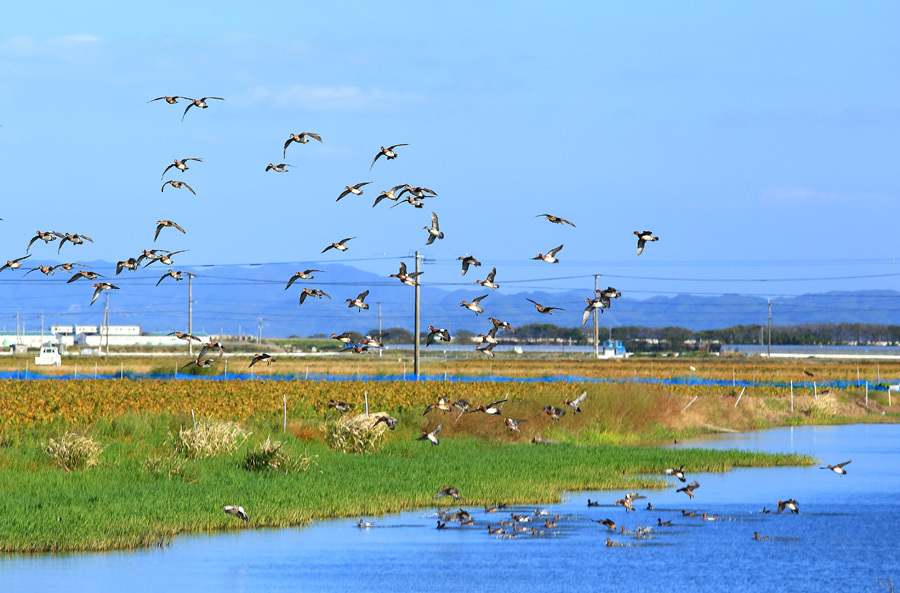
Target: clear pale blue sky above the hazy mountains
column 757, row 140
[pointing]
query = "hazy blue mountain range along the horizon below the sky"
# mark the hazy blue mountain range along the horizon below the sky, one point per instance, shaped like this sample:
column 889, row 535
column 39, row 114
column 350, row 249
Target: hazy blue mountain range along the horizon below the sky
column 232, row 299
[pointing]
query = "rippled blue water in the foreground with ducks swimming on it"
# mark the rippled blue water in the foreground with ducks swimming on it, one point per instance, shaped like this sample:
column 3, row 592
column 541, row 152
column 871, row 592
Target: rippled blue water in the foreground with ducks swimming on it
column 844, row 539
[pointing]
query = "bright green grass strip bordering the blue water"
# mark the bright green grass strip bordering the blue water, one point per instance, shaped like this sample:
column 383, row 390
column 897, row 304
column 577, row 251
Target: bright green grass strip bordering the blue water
column 143, row 493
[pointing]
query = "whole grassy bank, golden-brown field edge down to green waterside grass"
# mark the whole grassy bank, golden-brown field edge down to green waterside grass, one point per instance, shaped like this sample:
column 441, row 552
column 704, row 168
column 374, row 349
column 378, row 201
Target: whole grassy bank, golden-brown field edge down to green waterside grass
column 147, row 487
